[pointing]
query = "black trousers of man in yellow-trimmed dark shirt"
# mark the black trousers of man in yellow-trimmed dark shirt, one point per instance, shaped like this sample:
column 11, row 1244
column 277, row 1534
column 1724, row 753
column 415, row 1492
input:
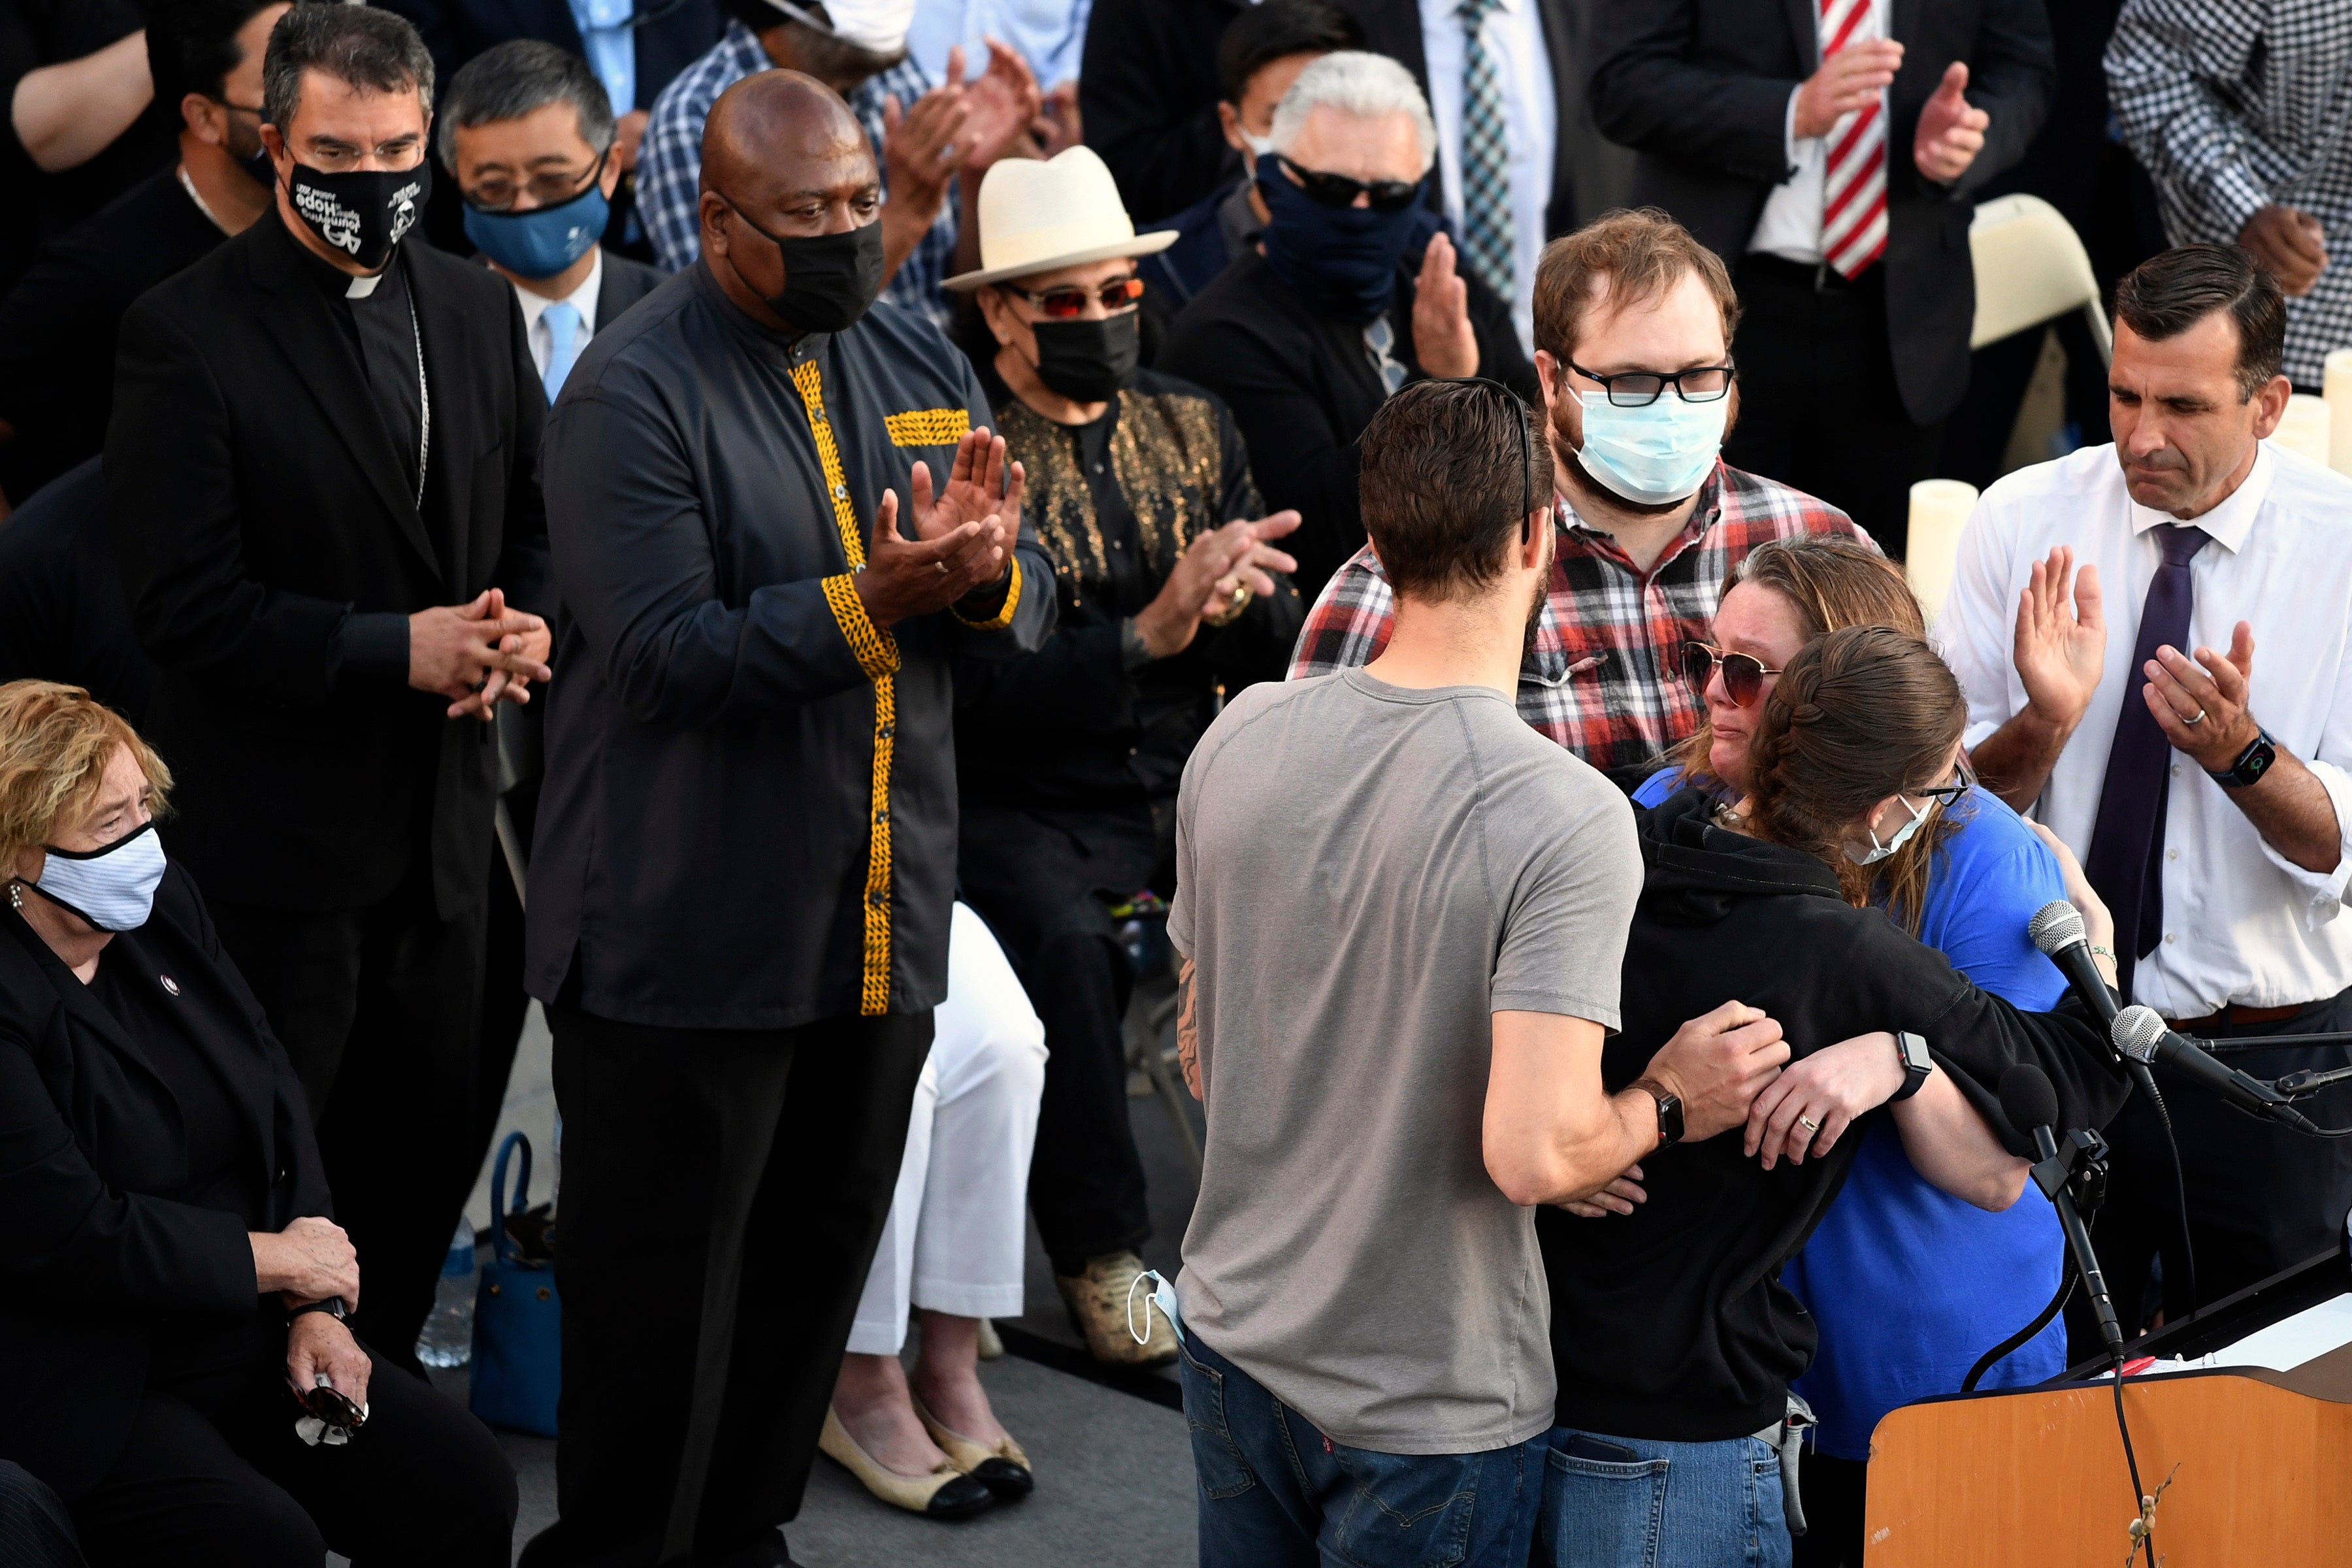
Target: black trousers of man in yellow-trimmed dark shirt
column 723, row 1200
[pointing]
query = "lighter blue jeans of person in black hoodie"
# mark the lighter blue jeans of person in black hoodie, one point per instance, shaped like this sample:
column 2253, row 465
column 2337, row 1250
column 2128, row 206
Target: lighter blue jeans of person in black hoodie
column 1638, row 1503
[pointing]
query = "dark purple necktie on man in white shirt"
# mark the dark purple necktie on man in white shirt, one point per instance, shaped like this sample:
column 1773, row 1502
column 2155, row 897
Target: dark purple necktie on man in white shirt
column 2127, row 843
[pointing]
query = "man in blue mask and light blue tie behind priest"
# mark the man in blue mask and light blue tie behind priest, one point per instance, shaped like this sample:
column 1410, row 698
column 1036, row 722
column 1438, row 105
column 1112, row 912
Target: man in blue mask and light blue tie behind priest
column 528, row 133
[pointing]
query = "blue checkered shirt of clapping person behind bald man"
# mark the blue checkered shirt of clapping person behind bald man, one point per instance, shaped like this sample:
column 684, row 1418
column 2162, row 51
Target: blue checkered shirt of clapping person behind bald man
column 671, row 163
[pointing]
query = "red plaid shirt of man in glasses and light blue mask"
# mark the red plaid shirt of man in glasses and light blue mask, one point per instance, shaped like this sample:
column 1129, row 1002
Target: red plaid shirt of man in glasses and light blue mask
column 1605, row 669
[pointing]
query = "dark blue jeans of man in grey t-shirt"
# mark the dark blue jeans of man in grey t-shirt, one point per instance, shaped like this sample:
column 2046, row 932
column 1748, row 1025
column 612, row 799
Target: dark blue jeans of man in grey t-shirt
column 1278, row 1494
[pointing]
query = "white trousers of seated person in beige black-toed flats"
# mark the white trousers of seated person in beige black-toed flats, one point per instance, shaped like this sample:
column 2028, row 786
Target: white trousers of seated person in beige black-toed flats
column 958, row 1224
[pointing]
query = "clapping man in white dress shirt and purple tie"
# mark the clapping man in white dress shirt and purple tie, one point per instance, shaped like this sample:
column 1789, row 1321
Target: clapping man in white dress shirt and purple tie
column 2207, row 798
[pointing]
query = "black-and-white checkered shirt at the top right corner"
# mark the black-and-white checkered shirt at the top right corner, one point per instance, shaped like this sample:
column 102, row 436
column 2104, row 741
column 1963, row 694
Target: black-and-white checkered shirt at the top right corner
column 2236, row 105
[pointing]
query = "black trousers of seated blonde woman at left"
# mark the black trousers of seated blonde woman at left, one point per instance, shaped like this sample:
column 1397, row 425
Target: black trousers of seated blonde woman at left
column 220, row 1480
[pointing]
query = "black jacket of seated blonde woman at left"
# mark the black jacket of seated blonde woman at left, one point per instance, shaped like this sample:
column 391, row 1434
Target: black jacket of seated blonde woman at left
column 91, row 1137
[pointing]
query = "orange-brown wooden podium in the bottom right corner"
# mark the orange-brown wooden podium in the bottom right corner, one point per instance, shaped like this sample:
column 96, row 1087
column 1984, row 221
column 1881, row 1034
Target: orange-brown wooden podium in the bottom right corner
column 2261, row 1461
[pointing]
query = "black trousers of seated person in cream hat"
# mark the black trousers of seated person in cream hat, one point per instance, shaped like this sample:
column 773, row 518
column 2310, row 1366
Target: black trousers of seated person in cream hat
column 1041, row 883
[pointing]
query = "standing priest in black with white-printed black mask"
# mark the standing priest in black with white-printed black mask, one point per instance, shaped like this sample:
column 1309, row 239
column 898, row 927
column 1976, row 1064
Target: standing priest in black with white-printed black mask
column 323, row 500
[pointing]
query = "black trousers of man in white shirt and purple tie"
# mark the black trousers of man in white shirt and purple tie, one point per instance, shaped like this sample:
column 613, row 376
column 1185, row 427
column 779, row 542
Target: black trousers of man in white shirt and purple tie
column 2261, row 1198
